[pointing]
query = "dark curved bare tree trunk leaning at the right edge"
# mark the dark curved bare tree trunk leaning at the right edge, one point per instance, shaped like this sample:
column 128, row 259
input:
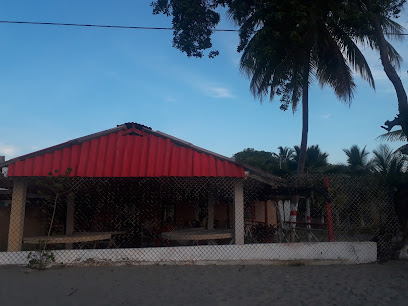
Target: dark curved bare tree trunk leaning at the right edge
column 392, row 75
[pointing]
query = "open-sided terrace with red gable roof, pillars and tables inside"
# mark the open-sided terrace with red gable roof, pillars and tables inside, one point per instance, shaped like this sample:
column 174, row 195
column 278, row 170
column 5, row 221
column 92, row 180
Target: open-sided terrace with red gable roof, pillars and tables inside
column 131, row 187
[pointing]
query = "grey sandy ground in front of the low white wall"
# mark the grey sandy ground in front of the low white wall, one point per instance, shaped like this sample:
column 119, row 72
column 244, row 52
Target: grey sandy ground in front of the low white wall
column 378, row 284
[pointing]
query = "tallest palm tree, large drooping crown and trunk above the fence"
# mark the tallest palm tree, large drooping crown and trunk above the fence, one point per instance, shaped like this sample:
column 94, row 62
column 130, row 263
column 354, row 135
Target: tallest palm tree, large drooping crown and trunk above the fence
column 294, row 45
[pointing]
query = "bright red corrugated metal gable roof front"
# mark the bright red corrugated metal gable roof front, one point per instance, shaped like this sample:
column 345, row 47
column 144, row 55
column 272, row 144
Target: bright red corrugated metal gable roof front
column 130, row 150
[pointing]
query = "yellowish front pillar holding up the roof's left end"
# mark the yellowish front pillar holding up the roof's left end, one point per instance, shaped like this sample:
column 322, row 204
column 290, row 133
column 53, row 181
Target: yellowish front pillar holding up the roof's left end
column 16, row 226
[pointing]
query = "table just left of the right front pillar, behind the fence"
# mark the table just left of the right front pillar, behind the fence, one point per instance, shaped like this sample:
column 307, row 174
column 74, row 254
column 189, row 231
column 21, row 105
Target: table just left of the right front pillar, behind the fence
column 197, row 234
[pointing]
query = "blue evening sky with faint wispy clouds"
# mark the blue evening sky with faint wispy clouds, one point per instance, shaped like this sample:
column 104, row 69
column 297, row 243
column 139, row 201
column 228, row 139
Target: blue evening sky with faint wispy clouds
column 61, row 83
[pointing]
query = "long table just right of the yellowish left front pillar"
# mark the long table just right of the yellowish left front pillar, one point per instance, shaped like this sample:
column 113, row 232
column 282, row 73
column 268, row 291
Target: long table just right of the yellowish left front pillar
column 76, row 238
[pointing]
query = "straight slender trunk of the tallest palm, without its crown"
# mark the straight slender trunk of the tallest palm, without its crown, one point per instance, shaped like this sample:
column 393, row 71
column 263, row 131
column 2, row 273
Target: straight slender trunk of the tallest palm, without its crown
column 303, row 144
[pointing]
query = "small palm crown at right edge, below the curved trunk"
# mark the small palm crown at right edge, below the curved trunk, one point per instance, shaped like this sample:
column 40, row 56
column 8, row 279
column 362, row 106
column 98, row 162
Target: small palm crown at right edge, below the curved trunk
column 387, row 162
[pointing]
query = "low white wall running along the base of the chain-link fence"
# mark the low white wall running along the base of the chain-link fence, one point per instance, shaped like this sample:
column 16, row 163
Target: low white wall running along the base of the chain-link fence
column 319, row 252
